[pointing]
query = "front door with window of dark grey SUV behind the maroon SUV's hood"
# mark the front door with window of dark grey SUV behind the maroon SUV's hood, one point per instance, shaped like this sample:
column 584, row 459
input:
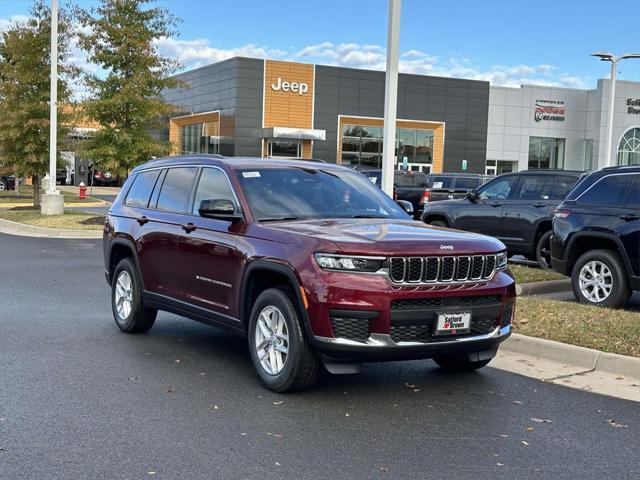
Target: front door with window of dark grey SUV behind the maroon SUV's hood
column 484, row 215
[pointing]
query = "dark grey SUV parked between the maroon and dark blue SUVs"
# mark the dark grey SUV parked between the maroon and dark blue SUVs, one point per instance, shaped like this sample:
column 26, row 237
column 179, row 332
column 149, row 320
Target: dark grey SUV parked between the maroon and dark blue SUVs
column 516, row 208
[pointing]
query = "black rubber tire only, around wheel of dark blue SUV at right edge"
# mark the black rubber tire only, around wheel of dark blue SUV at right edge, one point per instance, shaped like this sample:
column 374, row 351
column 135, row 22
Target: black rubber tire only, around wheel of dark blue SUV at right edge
column 620, row 290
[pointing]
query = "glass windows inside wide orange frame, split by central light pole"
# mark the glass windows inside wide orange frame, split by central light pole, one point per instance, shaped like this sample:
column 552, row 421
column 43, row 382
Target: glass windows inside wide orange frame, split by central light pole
column 362, row 145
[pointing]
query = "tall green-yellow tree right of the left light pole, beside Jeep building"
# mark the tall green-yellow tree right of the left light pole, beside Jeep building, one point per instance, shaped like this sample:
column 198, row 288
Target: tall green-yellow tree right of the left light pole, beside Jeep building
column 119, row 36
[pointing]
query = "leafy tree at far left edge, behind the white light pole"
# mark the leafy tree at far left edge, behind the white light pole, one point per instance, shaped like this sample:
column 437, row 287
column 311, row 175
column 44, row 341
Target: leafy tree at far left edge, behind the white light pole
column 25, row 55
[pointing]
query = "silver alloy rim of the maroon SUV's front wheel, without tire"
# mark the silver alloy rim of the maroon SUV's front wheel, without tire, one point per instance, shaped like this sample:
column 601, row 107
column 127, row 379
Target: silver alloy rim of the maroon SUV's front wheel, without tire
column 271, row 340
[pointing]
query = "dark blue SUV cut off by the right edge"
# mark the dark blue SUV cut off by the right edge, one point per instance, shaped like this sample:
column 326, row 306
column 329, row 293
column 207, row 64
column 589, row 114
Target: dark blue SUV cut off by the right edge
column 596, row 236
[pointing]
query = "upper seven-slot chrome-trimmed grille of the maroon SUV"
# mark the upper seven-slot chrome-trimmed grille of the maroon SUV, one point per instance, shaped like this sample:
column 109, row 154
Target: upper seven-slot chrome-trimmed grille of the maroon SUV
column 448, row 269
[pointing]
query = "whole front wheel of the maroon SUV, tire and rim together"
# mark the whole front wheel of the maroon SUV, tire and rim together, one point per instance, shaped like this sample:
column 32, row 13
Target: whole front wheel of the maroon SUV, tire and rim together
column 281, row 355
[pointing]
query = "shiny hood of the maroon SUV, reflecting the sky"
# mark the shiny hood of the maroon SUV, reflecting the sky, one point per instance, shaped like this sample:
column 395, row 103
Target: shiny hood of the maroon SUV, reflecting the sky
column 391, row 237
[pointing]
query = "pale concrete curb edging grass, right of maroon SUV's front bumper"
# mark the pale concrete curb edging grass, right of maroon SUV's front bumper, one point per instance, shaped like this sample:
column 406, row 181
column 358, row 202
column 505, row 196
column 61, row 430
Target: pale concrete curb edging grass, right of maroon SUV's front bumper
column 582, row 357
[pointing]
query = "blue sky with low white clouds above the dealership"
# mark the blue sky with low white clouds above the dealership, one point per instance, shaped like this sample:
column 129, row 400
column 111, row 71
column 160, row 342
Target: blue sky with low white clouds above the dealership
column 506, row 42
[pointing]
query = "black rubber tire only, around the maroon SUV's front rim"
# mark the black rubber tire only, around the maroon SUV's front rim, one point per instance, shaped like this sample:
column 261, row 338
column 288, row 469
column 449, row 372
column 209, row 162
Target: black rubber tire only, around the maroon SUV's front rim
column 301, row 365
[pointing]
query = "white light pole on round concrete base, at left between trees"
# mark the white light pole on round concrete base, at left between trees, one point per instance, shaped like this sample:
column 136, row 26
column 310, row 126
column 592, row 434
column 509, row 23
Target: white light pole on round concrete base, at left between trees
column 52, row 202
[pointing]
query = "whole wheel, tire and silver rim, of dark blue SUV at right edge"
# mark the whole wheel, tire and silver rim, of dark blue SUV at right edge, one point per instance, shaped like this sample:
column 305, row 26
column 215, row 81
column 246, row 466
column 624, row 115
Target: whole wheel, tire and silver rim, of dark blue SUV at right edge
column 599, row 278
